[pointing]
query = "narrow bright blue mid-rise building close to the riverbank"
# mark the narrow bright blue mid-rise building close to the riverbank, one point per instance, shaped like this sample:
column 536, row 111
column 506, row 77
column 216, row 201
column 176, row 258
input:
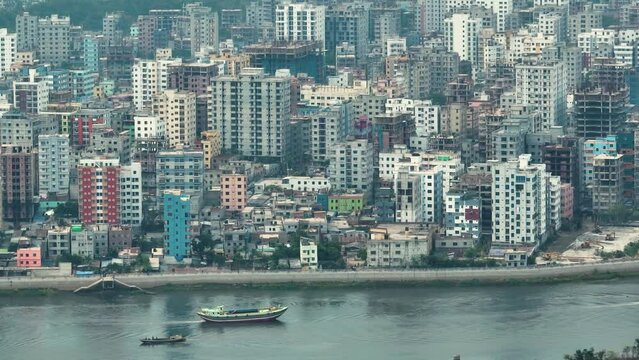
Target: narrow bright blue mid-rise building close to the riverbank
column 177, row 224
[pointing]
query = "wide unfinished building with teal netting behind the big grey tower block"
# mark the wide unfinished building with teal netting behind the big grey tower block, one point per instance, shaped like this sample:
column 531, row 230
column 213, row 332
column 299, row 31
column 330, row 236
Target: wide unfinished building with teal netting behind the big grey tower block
column 299, row 57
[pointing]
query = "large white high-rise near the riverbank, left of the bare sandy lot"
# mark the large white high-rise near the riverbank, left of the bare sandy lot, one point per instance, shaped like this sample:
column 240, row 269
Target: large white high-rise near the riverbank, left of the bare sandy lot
column 520, row 207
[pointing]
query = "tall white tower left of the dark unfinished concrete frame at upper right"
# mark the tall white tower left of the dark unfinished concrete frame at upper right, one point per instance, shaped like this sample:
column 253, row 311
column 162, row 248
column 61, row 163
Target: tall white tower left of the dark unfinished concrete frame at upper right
column 543, row 85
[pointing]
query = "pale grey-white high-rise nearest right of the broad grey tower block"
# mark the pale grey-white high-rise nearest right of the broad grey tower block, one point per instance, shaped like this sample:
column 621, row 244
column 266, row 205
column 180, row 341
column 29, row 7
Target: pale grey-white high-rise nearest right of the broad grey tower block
column 330, row 126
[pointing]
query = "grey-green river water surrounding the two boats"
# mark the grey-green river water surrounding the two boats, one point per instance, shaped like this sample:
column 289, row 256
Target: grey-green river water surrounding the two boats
column 480, row 322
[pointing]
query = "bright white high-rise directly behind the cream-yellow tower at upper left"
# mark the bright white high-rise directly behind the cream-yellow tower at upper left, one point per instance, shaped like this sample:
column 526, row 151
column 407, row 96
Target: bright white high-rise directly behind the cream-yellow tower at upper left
column 149, row 77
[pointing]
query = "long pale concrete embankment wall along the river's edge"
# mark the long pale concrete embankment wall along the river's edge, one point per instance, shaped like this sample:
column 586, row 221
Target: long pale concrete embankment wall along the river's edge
column 328, row 277
